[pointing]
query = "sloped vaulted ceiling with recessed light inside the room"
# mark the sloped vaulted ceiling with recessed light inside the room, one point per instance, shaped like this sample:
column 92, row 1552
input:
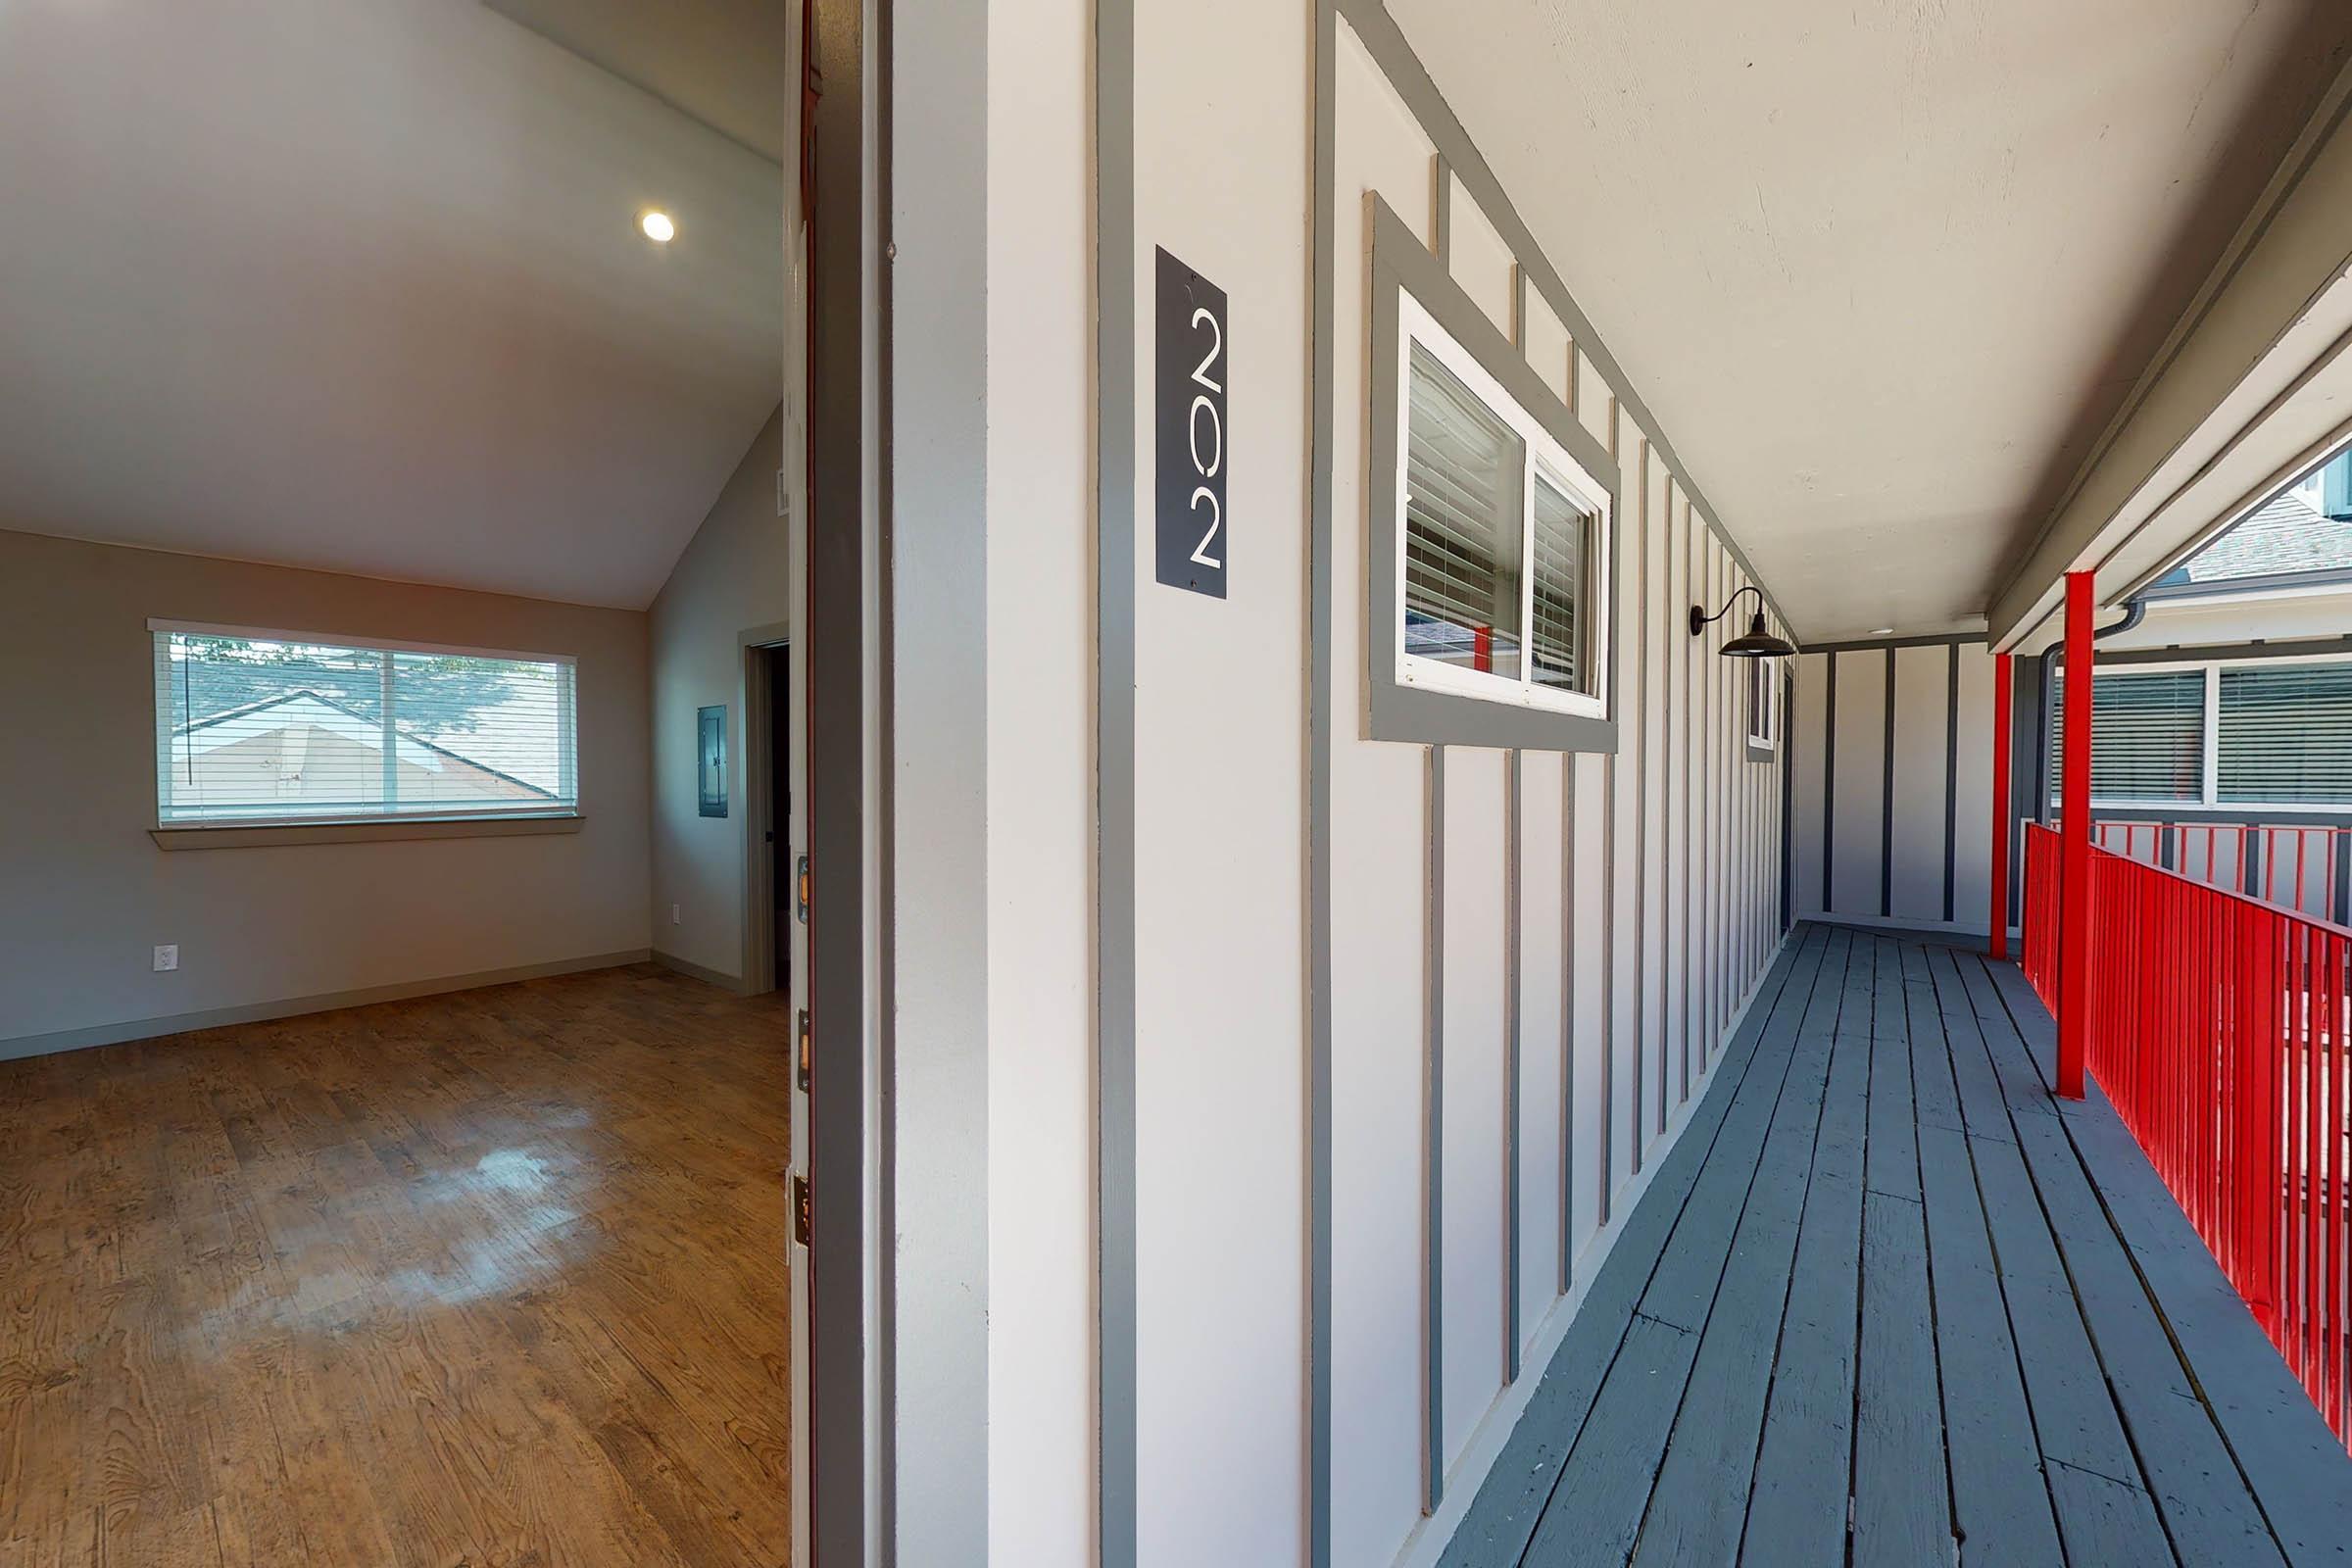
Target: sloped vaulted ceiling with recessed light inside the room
column 359, row 286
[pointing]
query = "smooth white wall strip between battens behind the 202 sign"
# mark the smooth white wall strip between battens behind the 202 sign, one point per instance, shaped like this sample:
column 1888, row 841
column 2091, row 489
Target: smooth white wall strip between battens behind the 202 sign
column 1220, row 892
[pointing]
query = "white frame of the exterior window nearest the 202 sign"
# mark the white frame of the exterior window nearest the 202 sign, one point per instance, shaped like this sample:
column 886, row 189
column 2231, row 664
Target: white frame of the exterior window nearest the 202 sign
column 1546, row 460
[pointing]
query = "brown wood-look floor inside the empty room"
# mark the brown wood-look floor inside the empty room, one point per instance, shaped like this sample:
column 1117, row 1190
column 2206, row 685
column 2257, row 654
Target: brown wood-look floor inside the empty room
column 483, row 1280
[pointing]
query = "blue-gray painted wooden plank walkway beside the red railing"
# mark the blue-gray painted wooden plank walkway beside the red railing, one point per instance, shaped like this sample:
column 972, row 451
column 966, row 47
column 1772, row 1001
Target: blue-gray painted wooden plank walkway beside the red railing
column 1892, row 1304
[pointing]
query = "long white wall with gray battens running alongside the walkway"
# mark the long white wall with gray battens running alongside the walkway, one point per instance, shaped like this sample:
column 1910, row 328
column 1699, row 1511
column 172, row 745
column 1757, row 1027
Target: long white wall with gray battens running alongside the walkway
column 1532, row 956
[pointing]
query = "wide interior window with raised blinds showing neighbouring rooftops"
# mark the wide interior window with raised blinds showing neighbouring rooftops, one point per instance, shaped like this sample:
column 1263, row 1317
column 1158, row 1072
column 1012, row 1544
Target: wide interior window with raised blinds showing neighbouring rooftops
column 265, row 728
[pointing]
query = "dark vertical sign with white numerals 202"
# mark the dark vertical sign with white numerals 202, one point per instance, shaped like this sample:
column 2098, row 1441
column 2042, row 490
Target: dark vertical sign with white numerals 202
column 1189, row 422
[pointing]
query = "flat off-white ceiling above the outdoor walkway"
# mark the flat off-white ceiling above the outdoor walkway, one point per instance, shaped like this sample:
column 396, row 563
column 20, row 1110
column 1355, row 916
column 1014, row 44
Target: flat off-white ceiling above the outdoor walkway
column 1883, row 272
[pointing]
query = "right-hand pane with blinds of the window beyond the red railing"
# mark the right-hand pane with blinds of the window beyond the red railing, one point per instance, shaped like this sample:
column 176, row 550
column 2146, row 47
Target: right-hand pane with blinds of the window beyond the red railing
column 2285, row 735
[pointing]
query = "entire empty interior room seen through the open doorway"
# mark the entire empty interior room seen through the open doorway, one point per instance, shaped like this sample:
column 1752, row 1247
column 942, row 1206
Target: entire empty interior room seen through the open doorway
column 396, row 946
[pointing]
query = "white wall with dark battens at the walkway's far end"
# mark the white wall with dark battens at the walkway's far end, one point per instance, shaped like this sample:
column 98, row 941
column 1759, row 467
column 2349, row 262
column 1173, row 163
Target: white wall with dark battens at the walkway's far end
column 1892, row 798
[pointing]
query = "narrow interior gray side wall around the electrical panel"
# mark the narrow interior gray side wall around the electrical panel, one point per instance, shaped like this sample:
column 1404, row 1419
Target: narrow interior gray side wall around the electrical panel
column 730, row 579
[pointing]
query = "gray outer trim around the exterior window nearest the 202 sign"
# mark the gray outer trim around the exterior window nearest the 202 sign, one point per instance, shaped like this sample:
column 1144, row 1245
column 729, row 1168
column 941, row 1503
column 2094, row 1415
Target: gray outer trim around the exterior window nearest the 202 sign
column 1403, row 264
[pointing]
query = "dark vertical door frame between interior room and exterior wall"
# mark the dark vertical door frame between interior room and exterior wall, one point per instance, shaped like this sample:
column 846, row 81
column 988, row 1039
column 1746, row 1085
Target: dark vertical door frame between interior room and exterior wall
column 838, row 311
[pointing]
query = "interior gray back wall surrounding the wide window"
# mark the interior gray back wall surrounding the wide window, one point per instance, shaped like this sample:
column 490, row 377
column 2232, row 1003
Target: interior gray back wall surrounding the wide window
column 86, row 892
